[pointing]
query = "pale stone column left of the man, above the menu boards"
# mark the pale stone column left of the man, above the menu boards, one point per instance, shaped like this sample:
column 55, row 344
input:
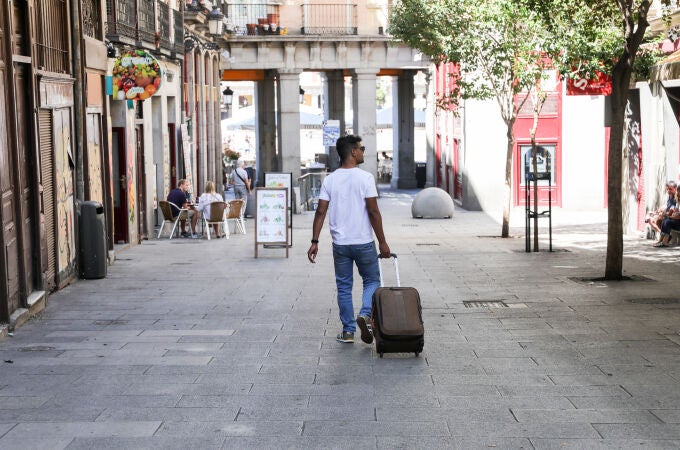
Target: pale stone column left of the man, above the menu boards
column 289, row 123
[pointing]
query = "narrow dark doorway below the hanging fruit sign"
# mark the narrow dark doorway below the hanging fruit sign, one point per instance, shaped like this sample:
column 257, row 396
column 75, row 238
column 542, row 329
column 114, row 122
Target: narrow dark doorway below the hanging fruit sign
column 119, row 170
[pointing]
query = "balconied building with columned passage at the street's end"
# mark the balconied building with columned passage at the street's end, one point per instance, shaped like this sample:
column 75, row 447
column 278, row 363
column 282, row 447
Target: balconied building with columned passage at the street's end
column 272, row 44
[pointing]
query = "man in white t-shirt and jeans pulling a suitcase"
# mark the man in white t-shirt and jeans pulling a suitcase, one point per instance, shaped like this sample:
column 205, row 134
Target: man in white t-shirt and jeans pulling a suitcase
column 350, row 195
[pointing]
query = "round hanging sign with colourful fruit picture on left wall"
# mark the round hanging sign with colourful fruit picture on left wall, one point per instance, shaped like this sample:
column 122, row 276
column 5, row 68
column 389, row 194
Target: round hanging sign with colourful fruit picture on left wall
column 136, row 76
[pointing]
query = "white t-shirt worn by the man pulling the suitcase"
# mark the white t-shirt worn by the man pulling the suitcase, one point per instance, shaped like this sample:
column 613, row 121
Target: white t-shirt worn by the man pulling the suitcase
column 346, row 190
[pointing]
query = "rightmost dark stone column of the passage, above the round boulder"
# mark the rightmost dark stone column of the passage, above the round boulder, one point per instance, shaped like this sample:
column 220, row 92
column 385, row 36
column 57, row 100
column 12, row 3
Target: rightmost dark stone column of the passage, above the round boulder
column 403, row 166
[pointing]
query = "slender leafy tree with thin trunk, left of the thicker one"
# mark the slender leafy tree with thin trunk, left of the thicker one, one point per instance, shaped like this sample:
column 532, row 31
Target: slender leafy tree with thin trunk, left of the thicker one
column 496, row 44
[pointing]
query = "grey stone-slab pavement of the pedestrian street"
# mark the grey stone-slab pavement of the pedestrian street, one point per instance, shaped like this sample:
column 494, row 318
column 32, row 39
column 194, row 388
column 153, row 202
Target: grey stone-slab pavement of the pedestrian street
column 196, row 344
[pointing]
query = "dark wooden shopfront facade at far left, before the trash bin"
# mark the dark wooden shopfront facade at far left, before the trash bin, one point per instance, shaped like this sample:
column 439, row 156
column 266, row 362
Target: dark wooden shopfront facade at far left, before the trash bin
column 52, row 149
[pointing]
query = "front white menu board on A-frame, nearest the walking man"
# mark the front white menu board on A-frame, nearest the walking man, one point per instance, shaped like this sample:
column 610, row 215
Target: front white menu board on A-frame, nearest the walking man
column 271, row 218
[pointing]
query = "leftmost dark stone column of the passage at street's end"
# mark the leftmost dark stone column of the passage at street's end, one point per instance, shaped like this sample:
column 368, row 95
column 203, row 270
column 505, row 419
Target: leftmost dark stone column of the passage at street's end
column 265, row 130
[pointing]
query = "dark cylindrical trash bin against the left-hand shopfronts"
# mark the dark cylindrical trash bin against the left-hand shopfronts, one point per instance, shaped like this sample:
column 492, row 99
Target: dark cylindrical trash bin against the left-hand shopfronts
column 92, row 240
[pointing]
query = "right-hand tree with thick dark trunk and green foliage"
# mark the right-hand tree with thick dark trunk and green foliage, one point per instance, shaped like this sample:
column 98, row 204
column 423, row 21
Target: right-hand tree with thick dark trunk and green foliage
column 604, row 36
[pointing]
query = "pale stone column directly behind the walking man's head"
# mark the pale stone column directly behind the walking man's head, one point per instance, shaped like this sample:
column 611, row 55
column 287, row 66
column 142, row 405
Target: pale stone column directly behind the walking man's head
column 363, row 99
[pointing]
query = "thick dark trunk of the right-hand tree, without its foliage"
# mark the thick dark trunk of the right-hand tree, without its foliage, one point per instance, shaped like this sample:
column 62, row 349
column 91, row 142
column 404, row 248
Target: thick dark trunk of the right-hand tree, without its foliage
column 619, row 97
